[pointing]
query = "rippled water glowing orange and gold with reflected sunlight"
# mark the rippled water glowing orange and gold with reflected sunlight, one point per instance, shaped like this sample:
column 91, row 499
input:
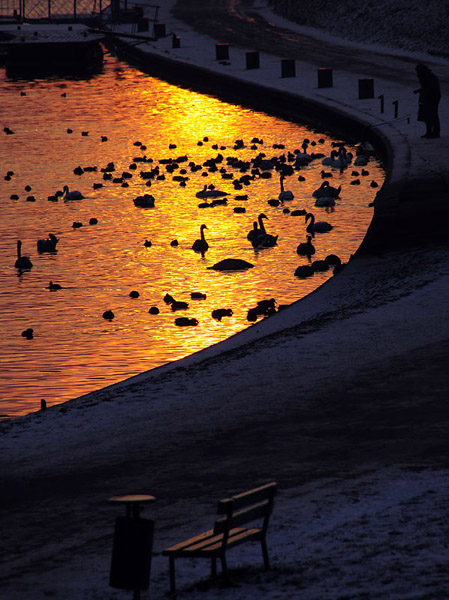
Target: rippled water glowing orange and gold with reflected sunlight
column 75, row 350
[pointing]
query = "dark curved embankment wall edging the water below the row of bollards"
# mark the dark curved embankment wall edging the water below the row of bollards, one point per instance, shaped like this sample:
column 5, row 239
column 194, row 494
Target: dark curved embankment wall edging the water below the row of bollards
column 398, row 221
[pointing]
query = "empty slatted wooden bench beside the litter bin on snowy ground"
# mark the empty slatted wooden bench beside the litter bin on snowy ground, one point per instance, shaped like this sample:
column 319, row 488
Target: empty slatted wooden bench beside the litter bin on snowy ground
column 233, row 512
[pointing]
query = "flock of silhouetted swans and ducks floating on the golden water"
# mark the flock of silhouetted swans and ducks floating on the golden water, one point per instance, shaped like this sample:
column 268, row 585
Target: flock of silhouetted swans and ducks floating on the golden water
column 240, row 173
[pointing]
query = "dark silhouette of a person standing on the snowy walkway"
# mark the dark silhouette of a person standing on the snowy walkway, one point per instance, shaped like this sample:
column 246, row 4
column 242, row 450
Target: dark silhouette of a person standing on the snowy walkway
column 429, row 98
